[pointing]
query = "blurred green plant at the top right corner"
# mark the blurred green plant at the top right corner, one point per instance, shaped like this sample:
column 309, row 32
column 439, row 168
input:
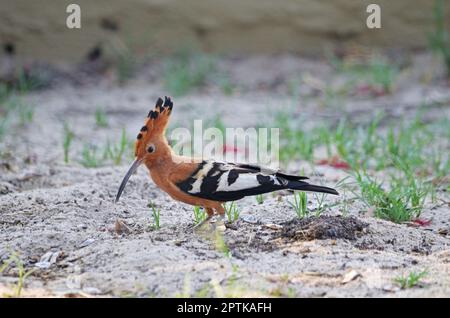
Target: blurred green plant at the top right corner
column 439, row 39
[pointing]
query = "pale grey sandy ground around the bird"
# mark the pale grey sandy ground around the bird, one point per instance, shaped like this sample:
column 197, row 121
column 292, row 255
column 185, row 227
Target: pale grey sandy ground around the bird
column 61, row 218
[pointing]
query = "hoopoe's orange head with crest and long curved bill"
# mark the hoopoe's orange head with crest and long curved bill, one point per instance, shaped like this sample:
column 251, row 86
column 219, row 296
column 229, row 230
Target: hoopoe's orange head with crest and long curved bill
column 151, row 144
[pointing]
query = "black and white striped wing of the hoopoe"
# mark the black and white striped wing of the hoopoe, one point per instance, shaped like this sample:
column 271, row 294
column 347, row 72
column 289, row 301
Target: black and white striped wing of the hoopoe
column 220, row 181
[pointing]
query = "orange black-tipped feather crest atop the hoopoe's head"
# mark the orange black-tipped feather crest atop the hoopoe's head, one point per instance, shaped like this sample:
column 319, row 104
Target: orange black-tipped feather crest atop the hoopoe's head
column 156, row 122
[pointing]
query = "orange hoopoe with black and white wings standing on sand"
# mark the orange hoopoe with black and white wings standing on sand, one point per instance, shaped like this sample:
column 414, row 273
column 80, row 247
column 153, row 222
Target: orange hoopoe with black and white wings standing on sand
column 204, row 183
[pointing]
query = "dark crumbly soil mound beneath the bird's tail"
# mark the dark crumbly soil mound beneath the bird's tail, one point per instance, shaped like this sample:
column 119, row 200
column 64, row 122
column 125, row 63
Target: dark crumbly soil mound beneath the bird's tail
column 322, row 227
